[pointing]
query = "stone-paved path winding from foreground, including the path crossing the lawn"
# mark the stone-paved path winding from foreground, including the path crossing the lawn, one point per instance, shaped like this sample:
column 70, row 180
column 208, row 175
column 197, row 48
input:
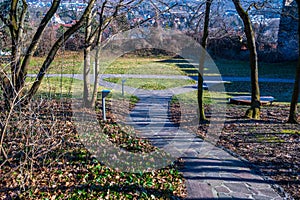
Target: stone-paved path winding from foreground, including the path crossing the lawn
column 210, row 172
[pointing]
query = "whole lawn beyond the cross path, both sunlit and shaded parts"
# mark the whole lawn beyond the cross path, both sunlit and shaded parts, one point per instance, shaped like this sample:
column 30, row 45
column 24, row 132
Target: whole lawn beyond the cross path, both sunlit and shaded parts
column 72, row 63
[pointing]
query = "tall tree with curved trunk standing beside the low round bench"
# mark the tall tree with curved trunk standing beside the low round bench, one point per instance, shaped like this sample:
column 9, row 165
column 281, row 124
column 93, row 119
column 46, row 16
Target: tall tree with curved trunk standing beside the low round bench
column 254, row 110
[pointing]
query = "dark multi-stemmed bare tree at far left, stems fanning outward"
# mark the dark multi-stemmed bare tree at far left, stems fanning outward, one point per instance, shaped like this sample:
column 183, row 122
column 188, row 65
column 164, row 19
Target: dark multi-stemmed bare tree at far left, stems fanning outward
column 14, row 19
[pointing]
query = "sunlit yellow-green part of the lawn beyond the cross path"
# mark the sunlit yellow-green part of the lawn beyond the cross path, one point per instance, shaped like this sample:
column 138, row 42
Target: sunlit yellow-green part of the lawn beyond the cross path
column 72, row 63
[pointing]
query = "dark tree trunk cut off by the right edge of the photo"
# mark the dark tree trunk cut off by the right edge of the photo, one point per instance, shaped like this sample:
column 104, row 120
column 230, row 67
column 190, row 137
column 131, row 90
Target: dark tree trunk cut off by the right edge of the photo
column 295, row 97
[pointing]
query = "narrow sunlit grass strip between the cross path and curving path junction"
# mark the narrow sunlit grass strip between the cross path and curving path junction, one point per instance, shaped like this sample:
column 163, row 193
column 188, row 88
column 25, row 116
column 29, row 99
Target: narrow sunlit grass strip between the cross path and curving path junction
column 152, row 84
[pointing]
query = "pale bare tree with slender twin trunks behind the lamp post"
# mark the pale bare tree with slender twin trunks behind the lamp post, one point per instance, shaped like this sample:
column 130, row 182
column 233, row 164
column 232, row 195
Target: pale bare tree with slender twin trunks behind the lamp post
column 93, row 36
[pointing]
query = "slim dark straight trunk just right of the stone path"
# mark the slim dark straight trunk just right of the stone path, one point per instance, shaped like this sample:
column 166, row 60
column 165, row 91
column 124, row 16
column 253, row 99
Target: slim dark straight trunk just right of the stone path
column 202, row 117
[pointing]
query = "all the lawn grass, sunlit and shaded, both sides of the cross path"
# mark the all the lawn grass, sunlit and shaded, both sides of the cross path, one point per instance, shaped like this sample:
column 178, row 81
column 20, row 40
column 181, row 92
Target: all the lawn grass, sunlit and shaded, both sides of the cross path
column 71, row 62
